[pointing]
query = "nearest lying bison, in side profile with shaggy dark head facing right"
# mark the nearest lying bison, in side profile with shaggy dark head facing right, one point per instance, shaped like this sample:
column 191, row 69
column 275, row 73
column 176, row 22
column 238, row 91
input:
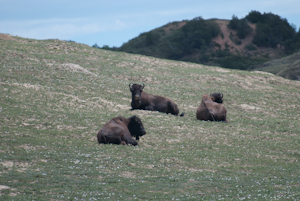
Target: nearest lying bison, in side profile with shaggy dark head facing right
column 120, row 130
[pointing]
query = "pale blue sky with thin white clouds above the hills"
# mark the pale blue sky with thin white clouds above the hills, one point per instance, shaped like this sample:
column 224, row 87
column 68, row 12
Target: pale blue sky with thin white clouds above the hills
column 114, row 22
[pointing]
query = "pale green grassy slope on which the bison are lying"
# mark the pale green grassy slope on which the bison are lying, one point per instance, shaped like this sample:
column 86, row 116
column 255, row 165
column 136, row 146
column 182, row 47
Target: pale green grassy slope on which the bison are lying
column 56, row 95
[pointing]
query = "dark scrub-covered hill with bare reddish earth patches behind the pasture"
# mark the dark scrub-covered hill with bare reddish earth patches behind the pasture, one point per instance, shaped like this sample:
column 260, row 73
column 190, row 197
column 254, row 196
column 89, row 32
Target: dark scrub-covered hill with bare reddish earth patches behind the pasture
column 237, row 43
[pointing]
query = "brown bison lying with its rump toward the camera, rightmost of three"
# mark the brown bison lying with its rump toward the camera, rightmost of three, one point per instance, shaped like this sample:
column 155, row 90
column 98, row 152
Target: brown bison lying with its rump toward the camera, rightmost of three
column 211, row 108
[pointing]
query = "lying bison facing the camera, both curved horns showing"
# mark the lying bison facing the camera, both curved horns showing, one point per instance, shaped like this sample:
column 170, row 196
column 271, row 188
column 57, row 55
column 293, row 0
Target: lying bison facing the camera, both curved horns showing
column 145, row 101
